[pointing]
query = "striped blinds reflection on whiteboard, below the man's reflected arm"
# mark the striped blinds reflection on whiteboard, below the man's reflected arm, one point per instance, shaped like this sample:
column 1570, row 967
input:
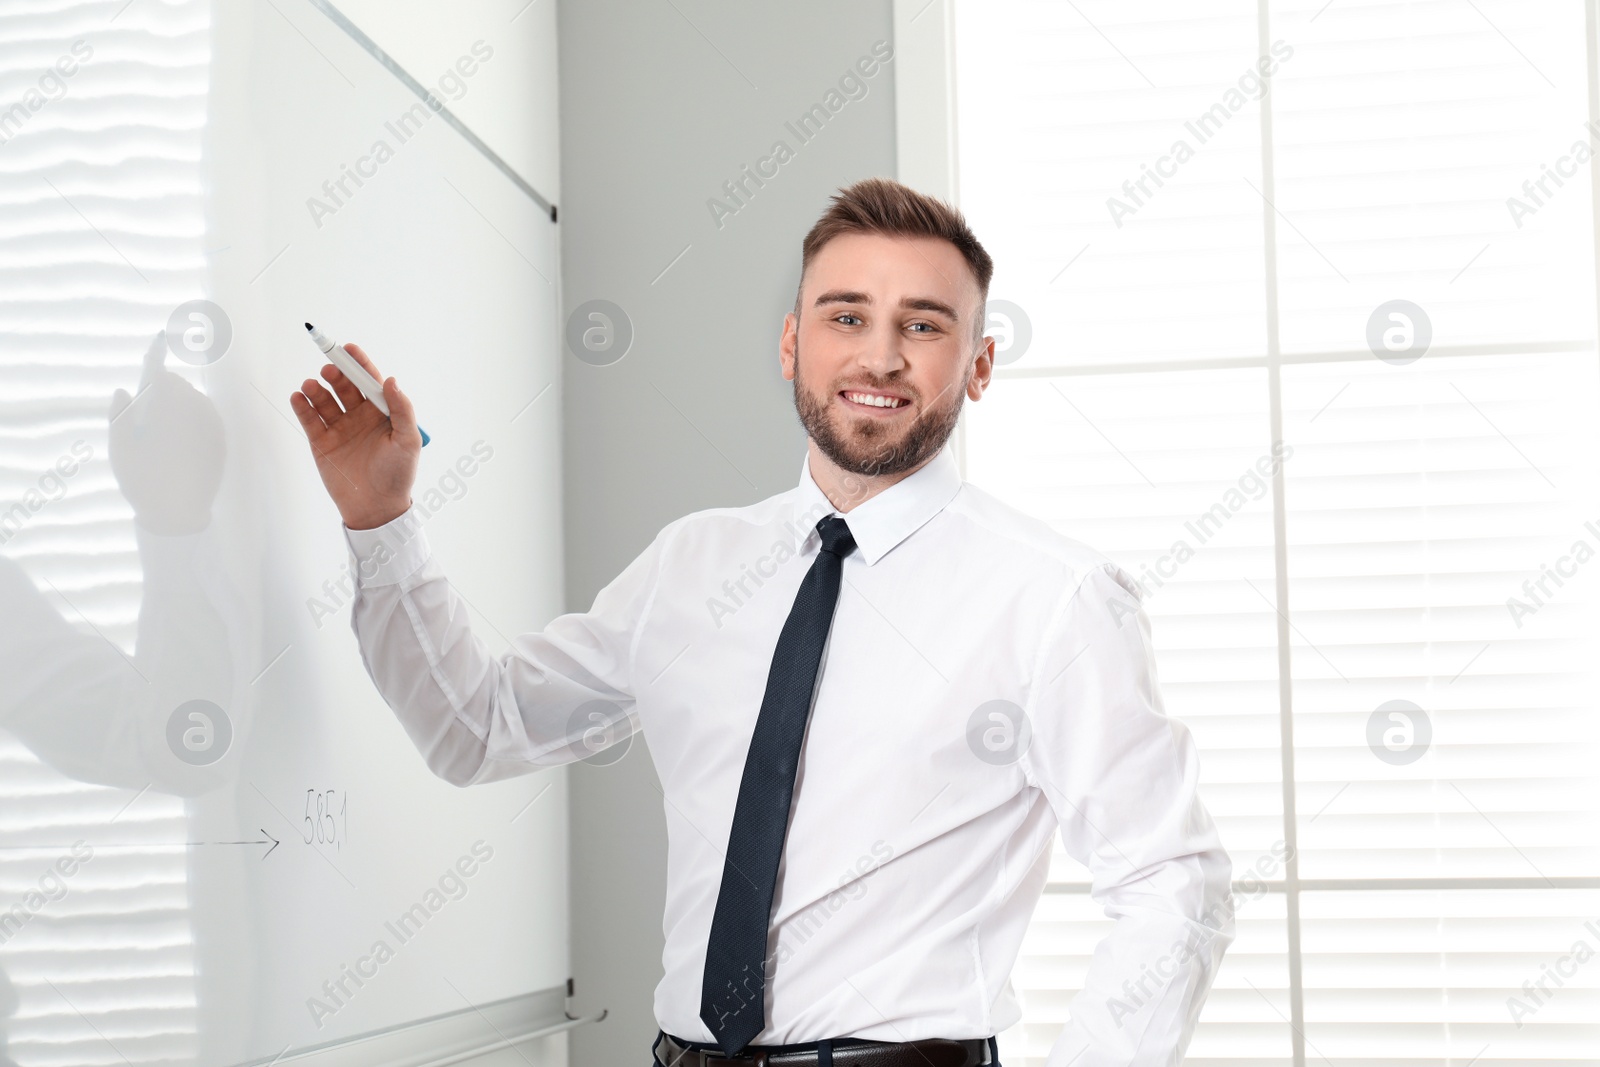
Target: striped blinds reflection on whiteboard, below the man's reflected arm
column 102, row 969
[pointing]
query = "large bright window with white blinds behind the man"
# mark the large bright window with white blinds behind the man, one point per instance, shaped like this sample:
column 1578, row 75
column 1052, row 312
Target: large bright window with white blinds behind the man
column 1318, row 366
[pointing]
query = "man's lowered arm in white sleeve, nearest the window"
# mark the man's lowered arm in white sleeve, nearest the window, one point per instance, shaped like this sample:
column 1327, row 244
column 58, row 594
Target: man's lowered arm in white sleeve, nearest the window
column 1124, row 783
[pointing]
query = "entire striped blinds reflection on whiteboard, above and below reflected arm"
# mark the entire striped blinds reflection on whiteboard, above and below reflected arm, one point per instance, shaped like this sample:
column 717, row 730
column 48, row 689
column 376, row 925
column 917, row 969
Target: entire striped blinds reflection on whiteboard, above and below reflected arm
column 102, row 236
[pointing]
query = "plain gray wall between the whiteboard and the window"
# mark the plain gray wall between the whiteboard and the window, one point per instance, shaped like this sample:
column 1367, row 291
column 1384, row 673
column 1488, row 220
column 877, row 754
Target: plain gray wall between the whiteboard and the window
column 663, row 103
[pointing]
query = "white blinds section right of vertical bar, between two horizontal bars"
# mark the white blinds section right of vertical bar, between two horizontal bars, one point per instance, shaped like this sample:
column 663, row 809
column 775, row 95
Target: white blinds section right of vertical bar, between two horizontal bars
column 1420, row 503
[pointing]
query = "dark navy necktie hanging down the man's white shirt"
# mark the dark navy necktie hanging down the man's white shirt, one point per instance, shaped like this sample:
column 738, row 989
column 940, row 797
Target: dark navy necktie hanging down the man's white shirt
column 732, row 996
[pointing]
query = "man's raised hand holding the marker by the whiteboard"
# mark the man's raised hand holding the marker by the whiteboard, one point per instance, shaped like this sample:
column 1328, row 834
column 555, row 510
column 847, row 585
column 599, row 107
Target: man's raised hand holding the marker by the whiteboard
column 367, row 462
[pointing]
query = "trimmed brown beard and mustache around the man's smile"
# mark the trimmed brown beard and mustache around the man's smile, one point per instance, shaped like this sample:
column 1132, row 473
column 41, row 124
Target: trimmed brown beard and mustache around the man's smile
column 868, row 447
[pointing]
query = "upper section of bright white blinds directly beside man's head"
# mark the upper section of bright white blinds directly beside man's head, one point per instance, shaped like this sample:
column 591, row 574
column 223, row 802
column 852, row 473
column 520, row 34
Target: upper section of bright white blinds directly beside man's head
column 1058, row 108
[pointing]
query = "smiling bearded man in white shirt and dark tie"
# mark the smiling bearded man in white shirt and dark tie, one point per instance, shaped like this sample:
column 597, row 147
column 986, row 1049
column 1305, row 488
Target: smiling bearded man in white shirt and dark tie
column 873, row 700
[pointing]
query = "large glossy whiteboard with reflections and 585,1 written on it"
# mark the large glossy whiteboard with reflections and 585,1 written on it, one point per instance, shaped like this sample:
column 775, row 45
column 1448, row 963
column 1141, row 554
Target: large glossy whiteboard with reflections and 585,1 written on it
column 209, row 818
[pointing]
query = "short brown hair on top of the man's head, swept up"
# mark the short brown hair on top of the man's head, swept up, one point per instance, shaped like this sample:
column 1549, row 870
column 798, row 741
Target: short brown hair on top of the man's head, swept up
column 882, row 206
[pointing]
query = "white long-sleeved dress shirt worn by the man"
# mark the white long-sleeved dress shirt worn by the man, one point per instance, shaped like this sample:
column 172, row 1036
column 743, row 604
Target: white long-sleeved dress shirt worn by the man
column 988, row 684
